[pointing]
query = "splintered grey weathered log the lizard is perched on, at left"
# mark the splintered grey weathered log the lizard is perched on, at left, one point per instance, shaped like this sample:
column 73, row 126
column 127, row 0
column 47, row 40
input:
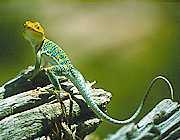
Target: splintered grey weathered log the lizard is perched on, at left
column 30, row 112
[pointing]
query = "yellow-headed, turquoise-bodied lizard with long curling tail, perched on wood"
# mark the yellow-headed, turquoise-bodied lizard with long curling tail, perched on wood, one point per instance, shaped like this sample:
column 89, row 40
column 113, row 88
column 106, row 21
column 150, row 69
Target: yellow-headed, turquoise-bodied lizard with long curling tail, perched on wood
column 61, row 66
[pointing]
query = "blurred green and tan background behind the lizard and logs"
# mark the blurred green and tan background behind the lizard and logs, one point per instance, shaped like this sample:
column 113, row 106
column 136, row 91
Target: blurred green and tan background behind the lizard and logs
column 122, row 46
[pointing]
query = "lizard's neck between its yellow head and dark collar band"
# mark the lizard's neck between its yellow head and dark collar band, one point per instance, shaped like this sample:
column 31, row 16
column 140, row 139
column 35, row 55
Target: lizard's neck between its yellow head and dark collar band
column 36, row 44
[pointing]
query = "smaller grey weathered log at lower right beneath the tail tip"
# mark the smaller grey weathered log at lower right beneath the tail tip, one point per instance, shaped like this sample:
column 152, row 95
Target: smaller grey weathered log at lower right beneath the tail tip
column 163, row 122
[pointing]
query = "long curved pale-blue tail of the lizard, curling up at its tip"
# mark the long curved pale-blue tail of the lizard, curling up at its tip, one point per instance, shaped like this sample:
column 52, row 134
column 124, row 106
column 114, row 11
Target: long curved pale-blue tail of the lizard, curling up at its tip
column 79, row 82
